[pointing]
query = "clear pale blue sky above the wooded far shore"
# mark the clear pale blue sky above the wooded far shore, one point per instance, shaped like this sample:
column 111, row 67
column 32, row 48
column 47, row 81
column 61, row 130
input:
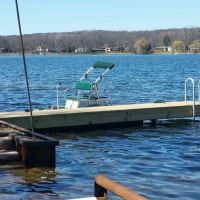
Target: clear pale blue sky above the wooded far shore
column 44, row 16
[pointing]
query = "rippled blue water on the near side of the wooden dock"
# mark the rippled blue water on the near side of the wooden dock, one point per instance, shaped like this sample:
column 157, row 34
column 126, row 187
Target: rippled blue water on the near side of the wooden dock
column 165, row 156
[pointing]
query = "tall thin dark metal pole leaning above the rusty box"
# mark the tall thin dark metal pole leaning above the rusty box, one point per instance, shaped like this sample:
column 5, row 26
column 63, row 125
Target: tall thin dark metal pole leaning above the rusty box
column 27, row 85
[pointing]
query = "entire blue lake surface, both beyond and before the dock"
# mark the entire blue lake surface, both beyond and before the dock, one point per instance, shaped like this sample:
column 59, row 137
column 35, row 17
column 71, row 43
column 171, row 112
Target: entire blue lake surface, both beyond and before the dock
column 160, row 161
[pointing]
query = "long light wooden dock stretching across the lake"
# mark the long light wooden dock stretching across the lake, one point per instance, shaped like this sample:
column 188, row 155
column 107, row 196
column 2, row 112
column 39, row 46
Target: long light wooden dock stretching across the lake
column 102, row 114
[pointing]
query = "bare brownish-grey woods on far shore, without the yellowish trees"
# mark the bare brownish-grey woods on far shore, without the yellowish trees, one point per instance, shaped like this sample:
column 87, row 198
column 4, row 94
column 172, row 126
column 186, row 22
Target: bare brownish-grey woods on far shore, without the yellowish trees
column 68, row 41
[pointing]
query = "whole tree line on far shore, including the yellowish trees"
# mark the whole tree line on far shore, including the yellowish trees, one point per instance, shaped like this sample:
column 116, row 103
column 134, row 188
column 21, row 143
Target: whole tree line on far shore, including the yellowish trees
column 181, row 40
